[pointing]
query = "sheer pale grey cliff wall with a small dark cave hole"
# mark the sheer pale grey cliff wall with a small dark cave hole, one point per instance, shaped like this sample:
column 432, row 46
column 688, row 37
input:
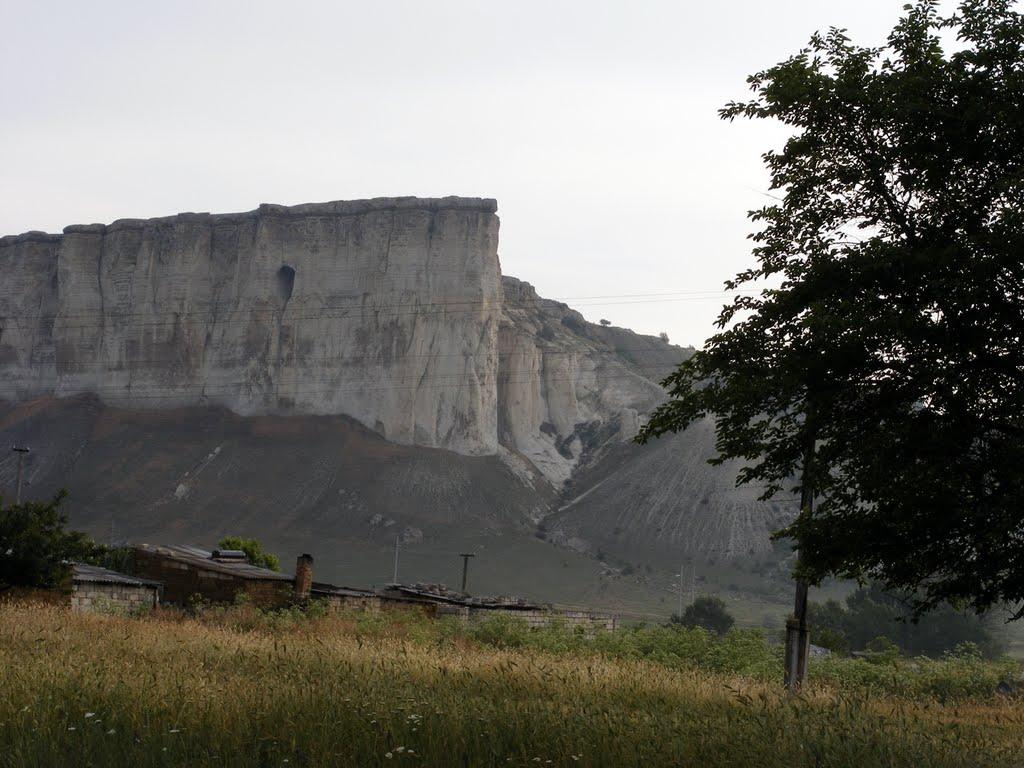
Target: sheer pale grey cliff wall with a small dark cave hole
column 387, row 311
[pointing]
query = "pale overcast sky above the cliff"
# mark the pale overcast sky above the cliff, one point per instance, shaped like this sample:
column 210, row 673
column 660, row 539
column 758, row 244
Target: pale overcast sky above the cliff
column 593, row 123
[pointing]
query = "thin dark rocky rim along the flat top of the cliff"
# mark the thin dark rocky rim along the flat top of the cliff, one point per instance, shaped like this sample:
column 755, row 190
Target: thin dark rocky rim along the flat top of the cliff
column 304, row 210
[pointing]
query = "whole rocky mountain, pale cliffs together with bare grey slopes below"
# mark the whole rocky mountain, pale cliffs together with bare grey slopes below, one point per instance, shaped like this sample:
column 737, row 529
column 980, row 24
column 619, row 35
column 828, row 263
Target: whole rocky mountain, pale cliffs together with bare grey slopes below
column 392, row 313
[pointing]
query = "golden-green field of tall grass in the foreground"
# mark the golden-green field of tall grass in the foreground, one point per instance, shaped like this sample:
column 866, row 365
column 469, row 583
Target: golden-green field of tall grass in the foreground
column 240, row 689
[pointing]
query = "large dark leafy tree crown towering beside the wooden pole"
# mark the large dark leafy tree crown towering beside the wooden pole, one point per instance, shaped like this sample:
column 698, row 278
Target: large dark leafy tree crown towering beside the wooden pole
column 885, row 372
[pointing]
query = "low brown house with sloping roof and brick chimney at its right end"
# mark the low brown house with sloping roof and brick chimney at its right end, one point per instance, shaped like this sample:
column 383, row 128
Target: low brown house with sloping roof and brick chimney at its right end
column 220, row 576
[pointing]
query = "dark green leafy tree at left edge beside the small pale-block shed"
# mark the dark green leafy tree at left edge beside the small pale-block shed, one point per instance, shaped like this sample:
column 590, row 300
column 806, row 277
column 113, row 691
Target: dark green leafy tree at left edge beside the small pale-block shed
column 35, row 548
